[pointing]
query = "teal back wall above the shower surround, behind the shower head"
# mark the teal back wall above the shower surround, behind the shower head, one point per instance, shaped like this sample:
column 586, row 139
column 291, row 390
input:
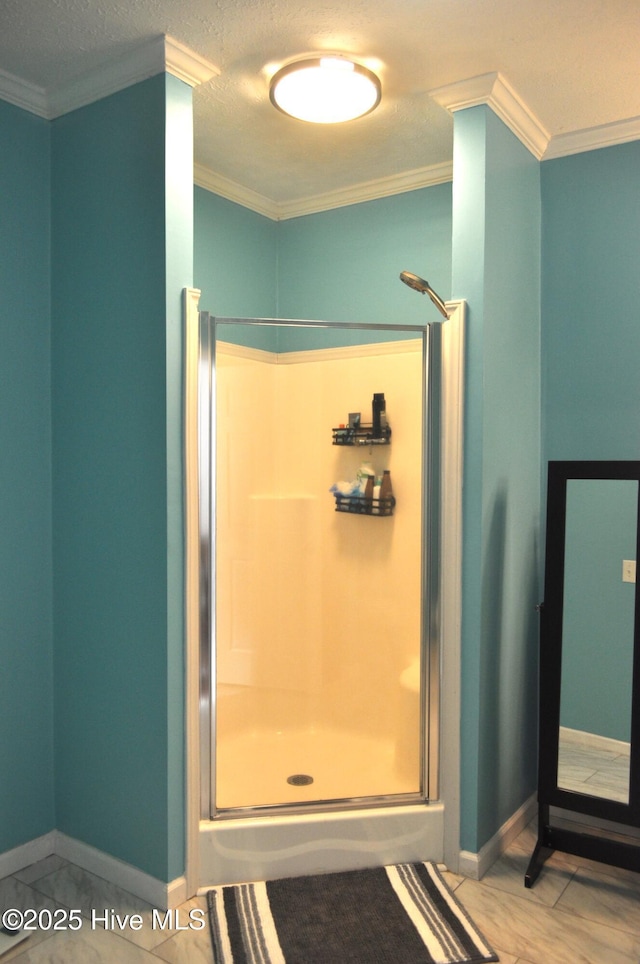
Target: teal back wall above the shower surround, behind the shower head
column 344, row 265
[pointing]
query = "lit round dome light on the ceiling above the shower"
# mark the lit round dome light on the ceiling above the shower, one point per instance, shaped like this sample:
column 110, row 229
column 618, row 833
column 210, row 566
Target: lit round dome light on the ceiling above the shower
column 325, row 90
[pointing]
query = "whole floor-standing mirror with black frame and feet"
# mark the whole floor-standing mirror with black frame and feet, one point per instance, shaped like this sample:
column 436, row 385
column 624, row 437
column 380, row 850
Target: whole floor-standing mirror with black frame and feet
column 589, row 771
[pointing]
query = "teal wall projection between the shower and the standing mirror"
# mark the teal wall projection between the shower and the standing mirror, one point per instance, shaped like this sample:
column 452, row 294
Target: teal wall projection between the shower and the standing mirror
column 496, row 268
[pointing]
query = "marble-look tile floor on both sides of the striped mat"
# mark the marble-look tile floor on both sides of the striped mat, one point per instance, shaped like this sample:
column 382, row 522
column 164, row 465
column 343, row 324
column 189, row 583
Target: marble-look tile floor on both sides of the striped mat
column 578, row 911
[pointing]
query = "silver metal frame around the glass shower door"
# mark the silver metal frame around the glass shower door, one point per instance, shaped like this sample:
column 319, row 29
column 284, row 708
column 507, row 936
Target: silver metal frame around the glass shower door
column 430, row 627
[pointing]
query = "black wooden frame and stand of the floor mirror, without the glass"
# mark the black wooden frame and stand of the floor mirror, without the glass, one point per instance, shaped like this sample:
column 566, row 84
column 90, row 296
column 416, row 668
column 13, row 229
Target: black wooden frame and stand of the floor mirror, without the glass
column 599, row 836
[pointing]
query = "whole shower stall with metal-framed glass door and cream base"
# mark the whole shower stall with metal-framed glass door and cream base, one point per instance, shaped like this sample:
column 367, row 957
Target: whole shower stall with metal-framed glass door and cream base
column 319, row 617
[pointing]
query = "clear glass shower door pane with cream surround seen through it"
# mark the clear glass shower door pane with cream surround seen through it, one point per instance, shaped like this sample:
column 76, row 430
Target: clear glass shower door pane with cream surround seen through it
column 317, row 679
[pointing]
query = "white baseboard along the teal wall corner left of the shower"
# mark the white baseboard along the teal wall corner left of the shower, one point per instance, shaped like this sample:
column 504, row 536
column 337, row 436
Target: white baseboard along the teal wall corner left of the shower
column 150, row 889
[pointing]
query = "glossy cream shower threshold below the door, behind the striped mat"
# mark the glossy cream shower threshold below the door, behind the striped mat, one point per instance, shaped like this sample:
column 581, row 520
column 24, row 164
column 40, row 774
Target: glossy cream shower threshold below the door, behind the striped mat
column 268, row 847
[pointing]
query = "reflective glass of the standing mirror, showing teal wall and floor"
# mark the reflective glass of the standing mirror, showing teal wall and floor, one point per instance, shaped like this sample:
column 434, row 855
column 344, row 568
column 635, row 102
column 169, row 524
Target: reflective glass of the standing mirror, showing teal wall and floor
column 597, row 637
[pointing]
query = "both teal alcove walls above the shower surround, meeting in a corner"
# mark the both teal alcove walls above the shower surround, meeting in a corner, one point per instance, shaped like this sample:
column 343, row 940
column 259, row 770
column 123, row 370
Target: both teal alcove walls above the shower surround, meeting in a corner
column 341, row 265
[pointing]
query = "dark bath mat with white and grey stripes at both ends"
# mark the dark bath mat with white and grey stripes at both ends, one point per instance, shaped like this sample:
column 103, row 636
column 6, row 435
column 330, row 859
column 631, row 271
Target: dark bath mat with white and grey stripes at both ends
column 402, row 914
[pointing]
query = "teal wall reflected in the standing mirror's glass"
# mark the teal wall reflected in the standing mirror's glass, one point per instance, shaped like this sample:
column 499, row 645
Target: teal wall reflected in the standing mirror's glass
column 598, row 607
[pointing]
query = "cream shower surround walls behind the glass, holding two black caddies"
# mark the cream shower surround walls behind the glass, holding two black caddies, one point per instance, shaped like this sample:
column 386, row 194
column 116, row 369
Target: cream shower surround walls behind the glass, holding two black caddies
column 313, row 602
